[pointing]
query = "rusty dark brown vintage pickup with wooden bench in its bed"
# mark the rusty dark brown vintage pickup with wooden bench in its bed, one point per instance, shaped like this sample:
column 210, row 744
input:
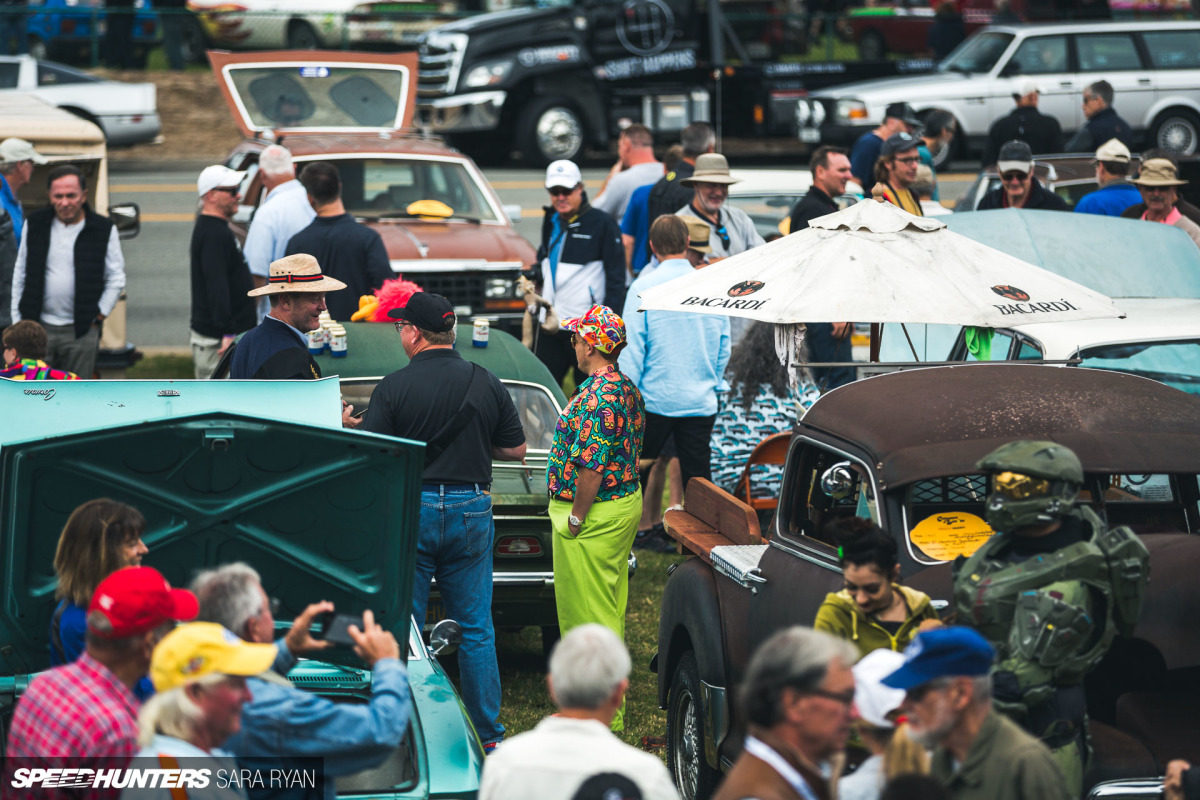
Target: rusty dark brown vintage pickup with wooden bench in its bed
column 901, row 450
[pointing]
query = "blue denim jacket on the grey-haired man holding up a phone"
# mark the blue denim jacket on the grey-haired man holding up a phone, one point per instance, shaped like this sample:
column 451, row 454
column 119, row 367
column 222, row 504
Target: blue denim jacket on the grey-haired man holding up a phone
column 284, row 721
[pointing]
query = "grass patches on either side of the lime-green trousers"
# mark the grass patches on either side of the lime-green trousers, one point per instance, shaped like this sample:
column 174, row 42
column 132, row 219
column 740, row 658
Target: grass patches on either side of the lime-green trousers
column 525, row 701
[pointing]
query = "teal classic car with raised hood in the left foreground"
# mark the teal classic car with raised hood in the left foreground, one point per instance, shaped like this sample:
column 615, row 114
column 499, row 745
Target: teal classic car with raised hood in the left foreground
column 319, row 512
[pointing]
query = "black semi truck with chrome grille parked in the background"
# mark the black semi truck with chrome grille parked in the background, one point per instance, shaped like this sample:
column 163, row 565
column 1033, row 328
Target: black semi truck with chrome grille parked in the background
column 555, row 80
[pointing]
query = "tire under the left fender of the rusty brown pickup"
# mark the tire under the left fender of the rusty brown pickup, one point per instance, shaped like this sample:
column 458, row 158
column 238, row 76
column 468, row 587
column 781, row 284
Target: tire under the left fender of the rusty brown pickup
column 686, row 733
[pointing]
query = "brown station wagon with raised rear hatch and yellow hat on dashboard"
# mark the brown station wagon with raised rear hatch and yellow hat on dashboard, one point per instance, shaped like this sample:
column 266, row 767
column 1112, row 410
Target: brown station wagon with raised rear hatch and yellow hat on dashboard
column 356, row 111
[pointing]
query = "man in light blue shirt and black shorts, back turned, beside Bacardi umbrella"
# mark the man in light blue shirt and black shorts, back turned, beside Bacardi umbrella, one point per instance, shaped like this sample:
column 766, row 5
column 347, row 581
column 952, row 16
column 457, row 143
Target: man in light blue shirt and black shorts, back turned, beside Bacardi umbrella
column 676, row 360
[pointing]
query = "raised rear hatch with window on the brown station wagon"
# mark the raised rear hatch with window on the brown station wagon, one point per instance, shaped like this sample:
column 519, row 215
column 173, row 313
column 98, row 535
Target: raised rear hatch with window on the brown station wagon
column 317, row 92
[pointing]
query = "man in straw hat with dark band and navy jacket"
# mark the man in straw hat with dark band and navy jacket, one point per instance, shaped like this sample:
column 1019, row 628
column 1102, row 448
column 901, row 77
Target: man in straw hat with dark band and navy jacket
column 279, row 348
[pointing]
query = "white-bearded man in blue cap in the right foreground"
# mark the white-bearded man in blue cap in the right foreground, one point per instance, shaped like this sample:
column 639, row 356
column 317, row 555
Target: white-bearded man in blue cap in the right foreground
column 979, row 754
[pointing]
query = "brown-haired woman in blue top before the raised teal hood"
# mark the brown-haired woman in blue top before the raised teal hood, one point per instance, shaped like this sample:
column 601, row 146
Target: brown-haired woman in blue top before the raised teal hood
column 101, row 537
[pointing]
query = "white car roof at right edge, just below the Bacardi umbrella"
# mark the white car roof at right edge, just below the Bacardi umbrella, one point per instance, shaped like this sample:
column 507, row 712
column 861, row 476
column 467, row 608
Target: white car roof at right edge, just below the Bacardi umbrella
column 1148, row 320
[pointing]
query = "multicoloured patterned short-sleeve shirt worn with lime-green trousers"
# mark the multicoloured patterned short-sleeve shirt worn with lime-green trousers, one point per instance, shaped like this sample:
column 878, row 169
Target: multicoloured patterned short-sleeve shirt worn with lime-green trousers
column 602, row 430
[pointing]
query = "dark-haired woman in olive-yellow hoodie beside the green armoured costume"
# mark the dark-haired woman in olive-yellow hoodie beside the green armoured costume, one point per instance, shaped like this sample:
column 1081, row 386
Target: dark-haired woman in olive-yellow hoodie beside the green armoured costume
column 874, row 611
